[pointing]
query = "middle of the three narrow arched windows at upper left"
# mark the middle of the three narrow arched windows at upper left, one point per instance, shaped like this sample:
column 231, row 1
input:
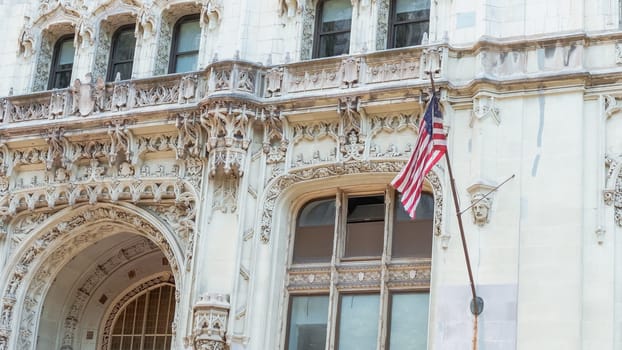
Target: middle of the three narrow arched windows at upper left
column 122, row 53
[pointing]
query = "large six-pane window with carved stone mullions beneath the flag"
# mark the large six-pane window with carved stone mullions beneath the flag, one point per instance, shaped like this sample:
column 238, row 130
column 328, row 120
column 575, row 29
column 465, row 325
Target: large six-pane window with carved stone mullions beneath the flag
column 368, row 235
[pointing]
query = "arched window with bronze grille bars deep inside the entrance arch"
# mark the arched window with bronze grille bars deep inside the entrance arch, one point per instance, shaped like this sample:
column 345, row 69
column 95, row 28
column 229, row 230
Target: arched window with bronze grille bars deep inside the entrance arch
column 145, row 322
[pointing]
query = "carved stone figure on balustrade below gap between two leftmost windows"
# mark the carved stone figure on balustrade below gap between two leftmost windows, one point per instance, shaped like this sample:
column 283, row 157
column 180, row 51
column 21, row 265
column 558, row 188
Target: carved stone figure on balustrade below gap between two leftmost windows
column 88, row 97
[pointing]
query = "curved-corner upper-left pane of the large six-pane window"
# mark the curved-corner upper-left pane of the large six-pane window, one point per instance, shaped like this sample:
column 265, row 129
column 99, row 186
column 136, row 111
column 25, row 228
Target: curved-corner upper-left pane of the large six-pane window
column 314, row 232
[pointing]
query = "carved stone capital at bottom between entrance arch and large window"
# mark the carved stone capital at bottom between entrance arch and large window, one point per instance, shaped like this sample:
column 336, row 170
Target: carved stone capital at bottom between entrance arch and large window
column 209, row 323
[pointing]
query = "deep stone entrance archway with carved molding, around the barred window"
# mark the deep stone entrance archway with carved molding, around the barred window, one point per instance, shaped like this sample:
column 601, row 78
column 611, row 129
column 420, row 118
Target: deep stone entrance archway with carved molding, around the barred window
column 73, row 274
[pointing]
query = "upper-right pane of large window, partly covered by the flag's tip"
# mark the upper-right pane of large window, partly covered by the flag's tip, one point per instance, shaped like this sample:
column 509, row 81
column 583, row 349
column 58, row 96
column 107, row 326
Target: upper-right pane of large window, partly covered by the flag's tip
column 413, row 238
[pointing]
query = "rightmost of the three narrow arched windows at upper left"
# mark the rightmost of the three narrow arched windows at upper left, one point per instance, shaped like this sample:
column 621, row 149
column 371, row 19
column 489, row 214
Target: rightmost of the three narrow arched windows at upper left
column 185, row 46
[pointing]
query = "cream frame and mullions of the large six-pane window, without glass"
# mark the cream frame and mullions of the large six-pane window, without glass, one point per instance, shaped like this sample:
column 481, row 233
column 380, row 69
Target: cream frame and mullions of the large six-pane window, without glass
column 336, row 290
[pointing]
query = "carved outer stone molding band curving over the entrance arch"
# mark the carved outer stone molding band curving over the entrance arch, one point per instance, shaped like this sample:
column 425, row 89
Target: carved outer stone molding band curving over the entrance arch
column 32, row 268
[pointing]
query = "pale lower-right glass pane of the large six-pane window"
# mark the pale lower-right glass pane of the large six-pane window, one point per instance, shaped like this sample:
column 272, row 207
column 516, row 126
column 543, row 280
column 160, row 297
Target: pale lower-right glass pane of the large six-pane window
column 409, row 321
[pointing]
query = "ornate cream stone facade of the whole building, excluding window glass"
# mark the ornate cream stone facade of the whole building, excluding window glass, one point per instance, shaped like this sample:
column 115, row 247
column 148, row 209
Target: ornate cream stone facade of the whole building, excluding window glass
column 196, row 179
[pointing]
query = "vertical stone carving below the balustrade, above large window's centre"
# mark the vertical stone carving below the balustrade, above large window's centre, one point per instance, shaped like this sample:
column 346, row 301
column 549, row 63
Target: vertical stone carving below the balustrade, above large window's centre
column 351, row 140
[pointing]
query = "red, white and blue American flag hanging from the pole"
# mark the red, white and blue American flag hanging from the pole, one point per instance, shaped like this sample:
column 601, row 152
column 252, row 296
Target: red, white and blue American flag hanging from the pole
column 430, row 148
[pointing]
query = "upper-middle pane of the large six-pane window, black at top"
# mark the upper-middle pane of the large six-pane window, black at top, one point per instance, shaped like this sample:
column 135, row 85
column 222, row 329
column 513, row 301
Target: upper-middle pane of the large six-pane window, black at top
column 365, row 226
